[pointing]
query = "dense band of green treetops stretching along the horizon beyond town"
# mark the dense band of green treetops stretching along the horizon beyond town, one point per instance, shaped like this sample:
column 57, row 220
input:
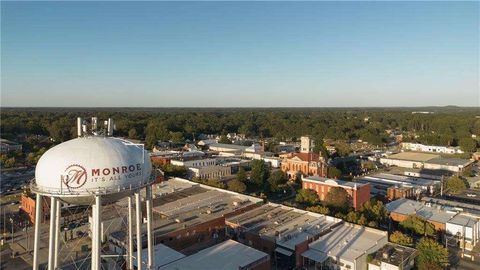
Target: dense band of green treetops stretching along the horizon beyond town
column 449, row 127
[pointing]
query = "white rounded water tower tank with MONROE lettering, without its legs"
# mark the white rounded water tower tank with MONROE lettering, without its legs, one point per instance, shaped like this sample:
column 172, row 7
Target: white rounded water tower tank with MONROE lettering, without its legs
column 76, row 170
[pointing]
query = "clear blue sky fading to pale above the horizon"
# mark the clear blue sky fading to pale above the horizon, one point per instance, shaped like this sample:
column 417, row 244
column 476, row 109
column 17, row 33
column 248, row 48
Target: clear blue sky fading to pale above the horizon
column 241, row 54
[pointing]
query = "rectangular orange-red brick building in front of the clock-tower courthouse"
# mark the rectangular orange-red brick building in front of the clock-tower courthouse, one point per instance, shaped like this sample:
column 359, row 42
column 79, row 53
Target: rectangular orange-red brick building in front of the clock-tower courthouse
column 359, row 193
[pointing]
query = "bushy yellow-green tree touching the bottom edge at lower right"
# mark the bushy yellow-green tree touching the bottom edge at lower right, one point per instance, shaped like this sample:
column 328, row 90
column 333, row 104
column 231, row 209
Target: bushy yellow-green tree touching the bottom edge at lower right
column 431, row 255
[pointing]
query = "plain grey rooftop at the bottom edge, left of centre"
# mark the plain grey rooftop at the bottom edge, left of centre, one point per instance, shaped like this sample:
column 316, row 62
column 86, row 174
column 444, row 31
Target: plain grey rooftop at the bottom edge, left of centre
column 228, row 255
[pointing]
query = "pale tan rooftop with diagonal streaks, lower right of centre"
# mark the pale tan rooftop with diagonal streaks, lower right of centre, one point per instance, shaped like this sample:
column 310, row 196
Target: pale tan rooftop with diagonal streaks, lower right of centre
column 348, row 241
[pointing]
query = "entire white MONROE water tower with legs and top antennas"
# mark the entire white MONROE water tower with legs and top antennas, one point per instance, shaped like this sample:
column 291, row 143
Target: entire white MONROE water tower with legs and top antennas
column 93, row 169
